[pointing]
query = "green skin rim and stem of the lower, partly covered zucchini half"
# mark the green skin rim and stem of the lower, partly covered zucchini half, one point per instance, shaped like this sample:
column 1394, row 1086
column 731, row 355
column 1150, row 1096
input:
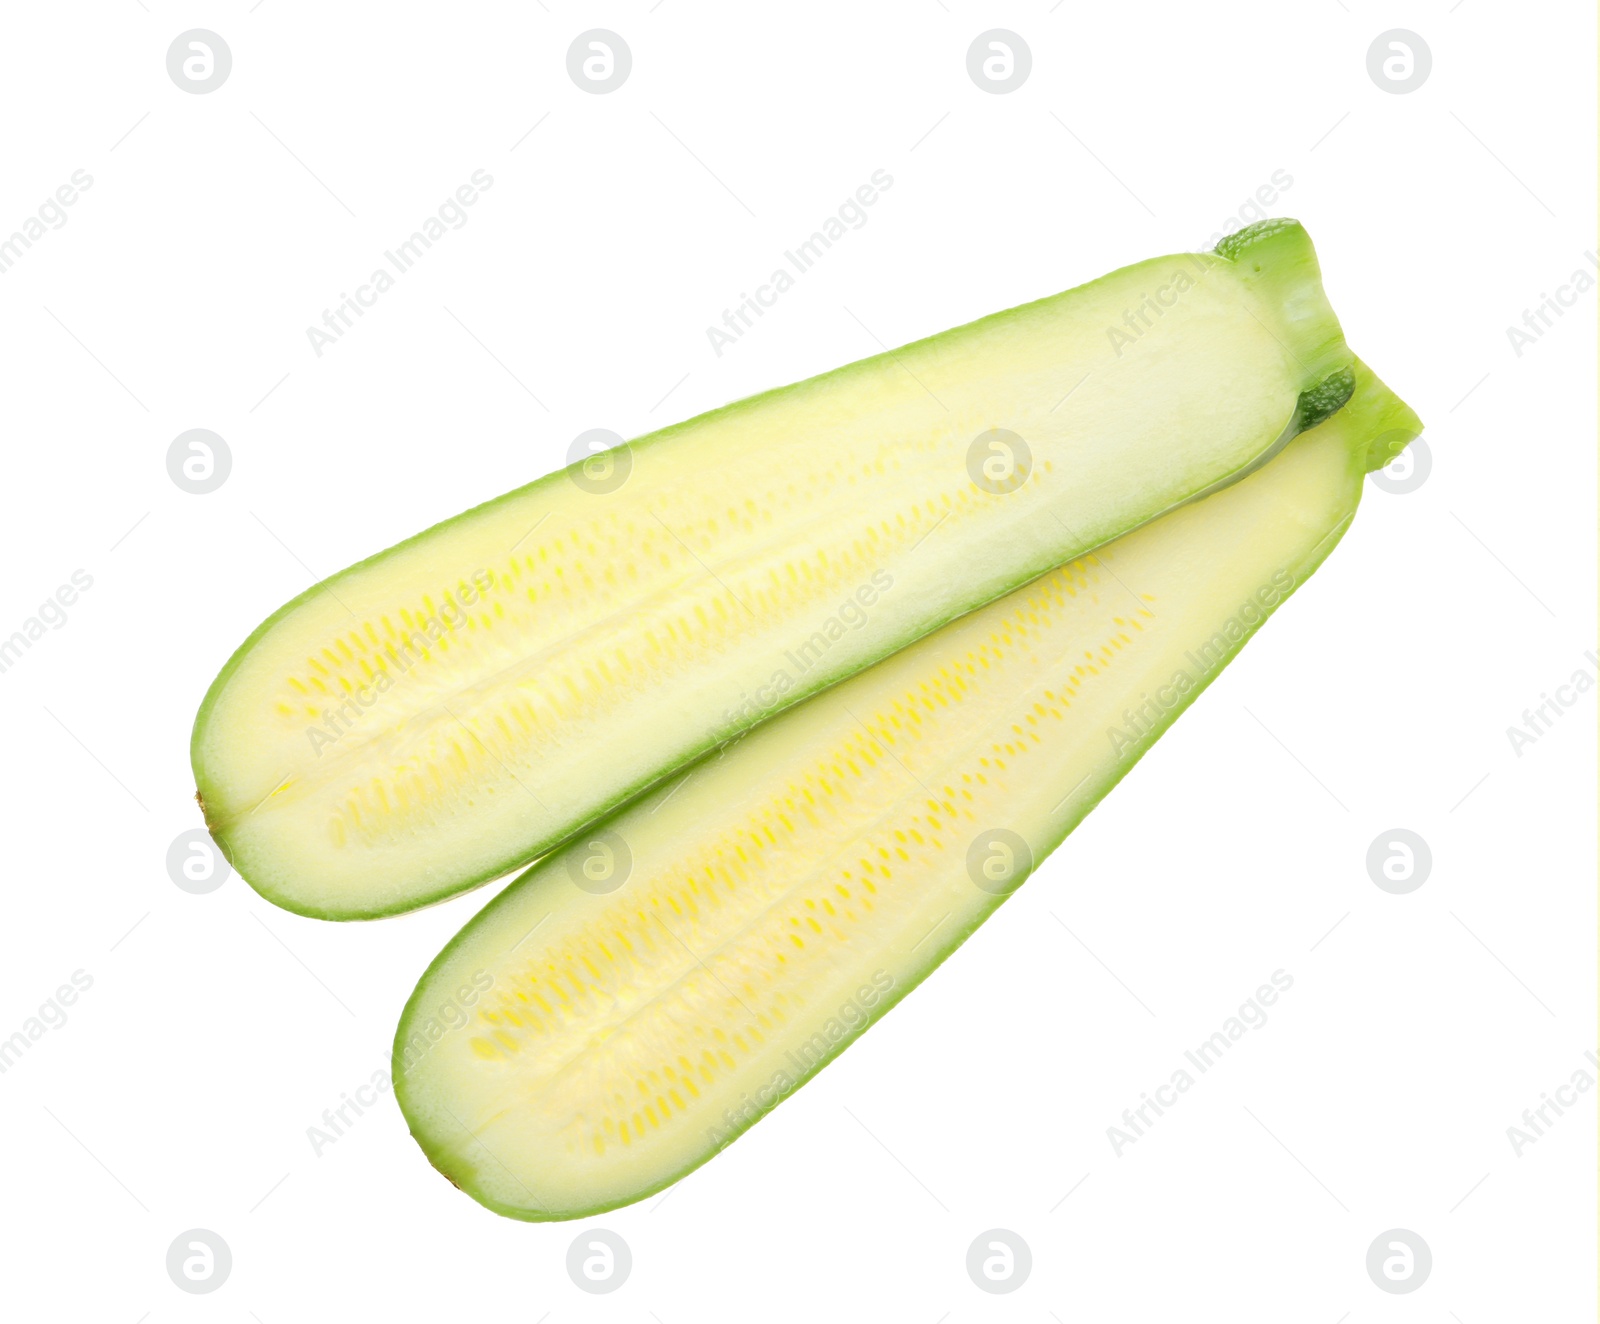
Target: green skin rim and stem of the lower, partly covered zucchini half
column 1364, row 437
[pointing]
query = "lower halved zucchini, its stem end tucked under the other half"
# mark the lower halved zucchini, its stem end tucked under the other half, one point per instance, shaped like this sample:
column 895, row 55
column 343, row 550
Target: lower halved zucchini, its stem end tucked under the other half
column 633, row 1003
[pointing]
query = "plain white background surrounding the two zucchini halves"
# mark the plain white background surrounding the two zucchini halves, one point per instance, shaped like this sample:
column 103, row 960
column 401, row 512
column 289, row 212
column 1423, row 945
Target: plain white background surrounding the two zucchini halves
column 618, row 228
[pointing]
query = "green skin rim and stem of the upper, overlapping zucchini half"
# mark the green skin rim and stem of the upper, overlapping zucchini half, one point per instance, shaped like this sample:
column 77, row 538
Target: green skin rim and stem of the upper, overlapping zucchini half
column 1271, row 263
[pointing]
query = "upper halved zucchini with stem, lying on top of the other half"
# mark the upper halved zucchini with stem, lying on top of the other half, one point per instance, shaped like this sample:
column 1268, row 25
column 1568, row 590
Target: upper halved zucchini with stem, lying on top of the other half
column 466, row 701
